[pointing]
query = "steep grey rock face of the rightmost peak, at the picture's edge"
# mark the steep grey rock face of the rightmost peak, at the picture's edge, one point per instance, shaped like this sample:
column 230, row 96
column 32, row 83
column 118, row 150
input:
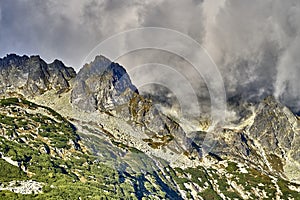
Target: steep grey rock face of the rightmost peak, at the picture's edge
column 276, row 130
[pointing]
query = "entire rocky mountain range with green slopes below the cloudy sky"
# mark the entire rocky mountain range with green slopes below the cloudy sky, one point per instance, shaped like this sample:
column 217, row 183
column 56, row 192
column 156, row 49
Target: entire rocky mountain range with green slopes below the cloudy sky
column 92, row 135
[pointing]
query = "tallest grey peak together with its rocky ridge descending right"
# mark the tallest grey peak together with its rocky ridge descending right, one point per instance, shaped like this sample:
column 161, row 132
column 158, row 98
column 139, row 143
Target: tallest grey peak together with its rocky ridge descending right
column 105, row 86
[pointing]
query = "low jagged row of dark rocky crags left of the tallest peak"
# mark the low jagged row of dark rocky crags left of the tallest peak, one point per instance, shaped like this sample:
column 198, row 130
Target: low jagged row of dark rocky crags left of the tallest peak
column 29, row 76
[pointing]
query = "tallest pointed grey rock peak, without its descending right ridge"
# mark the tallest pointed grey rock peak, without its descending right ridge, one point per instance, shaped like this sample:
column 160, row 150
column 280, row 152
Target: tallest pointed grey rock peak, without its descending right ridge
column 102, row 85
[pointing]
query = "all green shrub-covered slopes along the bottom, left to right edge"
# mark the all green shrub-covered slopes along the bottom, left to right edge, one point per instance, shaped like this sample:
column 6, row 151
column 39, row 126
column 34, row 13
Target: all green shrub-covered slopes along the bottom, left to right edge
column 51, row 151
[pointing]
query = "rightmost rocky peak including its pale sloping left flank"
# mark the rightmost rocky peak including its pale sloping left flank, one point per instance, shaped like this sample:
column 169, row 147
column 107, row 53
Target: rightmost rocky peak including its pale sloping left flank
column 268, row 138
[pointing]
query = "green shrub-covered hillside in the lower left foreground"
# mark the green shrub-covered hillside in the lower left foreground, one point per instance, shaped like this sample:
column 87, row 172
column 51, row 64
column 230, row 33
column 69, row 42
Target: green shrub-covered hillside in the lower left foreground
column 40, row 142
